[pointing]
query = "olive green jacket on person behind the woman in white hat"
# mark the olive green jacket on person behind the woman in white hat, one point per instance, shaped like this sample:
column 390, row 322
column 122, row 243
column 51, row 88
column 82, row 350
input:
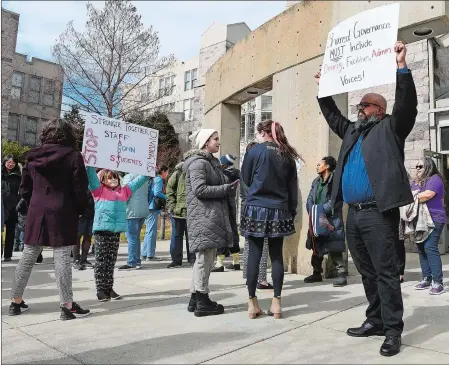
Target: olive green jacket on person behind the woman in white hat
column 176, row 193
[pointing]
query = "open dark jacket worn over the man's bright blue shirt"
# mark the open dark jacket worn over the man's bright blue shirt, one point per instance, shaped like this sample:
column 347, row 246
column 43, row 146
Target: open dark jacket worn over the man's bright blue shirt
column 382, row 147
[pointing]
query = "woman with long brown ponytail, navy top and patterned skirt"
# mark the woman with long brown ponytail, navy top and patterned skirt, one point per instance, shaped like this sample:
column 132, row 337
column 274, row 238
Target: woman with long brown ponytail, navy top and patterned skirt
column 269, row 171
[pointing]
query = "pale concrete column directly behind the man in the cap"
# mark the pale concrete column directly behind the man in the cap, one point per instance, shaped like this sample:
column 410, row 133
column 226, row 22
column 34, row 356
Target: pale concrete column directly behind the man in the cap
column 295, row 106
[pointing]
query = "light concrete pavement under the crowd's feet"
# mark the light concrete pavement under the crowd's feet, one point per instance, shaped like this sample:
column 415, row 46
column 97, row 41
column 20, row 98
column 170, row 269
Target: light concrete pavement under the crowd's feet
column 151, row 324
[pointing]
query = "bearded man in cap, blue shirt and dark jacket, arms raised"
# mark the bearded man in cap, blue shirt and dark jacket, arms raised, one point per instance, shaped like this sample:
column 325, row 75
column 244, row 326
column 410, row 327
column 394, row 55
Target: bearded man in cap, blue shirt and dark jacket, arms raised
column 371, row 178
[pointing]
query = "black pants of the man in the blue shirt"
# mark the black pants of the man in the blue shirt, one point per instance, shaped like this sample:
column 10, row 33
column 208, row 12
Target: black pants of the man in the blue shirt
column 372, row 238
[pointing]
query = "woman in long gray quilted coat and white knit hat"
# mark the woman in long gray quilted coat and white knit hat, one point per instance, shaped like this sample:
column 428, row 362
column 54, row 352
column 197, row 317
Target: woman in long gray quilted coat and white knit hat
column 208, row 216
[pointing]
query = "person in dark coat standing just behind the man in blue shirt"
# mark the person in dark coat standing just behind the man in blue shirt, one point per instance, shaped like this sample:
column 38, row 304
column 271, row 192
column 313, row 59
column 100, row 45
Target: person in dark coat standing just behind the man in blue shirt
column 334, row 244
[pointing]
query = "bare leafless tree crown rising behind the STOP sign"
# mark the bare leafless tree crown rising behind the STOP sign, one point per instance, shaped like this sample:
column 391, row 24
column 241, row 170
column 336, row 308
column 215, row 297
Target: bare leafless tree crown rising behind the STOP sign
column 106, row 63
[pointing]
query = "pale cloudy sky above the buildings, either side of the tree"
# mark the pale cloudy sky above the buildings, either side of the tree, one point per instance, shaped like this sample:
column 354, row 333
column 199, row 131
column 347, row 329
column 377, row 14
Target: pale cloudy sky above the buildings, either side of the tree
column 179, row 23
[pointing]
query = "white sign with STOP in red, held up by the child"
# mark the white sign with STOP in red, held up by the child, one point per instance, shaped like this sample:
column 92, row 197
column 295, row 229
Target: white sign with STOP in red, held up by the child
column 116, row 145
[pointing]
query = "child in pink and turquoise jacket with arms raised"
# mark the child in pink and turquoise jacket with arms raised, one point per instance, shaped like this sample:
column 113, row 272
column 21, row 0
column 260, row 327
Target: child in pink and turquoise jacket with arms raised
column 109, row 221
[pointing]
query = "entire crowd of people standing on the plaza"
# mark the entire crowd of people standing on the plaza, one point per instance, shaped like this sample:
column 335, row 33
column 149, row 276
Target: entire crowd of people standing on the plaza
column 67, row 203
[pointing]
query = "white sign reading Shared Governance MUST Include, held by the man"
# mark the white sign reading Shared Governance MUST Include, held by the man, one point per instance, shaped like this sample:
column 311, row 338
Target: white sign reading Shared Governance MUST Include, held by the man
column 360, row 52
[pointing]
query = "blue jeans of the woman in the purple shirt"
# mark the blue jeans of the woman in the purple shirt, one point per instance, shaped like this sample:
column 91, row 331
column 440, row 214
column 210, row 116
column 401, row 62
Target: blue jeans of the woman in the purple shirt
column 429, row 256
